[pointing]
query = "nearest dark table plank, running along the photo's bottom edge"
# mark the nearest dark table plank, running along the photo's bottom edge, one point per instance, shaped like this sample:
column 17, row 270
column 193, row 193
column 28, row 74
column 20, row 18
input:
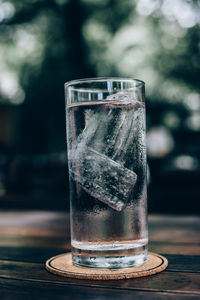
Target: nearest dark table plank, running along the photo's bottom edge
column 18, row 290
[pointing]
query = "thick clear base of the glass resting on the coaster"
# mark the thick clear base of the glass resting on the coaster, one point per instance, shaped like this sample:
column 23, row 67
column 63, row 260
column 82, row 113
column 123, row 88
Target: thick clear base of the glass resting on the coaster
column 116, row 259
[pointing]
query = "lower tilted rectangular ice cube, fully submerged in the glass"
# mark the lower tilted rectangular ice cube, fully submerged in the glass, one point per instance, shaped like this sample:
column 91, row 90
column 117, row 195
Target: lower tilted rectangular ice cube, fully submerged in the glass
column 102, row 177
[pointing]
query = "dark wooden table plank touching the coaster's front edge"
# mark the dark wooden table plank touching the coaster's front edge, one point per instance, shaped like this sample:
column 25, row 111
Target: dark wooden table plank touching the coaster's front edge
column 165, row 281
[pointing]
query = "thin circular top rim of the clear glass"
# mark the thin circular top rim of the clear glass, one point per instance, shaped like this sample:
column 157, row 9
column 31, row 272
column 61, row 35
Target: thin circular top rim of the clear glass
column 138, row 82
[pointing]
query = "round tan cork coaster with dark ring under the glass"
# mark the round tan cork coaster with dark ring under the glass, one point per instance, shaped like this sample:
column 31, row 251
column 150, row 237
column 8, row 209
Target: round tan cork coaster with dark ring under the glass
column 62, row 265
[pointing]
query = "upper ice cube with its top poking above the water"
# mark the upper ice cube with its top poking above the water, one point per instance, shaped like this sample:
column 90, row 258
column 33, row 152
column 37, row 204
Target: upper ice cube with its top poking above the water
column 111, row 128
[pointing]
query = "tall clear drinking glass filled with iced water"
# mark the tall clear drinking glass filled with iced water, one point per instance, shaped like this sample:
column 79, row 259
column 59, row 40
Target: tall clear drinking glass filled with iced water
column 107, row 169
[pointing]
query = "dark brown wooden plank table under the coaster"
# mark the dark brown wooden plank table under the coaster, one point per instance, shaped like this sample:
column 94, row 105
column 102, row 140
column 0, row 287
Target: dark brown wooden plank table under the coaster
column 27, row 239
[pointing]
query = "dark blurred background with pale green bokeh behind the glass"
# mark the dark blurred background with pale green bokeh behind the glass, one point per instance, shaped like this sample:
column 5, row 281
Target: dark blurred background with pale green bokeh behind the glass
column 44, row 43
